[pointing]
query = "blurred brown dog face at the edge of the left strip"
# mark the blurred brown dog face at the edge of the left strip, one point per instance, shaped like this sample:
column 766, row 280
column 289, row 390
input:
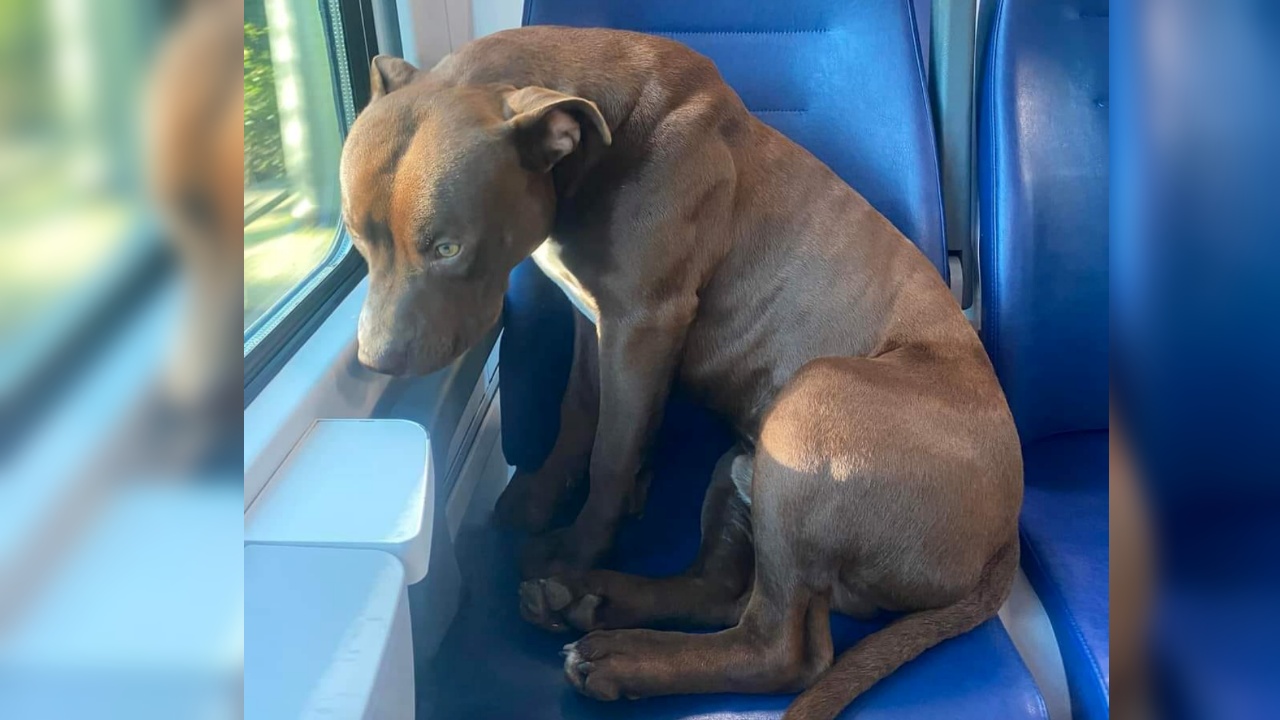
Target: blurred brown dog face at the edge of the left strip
column 195, row 116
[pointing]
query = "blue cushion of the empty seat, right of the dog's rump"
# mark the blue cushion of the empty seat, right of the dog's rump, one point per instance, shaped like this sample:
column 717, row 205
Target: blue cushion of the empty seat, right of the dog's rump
column 1066, row 557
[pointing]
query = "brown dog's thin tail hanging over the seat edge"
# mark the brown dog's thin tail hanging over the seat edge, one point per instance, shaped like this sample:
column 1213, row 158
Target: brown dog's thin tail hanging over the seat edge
column 885, row 651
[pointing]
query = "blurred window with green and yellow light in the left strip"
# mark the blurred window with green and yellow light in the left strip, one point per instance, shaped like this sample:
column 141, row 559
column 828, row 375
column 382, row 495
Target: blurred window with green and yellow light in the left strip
column 72, row 215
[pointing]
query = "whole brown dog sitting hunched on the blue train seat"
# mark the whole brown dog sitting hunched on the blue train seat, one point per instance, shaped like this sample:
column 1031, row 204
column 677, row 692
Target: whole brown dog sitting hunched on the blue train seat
column 879, row 464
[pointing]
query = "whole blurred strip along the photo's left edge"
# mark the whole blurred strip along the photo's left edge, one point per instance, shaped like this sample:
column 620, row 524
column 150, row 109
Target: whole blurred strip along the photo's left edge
column 121, row 564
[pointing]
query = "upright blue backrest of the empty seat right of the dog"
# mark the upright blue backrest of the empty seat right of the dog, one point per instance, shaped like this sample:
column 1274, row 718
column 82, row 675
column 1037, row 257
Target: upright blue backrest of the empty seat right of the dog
column 1043, row 156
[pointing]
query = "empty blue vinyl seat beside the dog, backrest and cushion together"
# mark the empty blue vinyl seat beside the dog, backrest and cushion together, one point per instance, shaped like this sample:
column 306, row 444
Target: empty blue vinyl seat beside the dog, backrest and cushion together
column 1044, row 183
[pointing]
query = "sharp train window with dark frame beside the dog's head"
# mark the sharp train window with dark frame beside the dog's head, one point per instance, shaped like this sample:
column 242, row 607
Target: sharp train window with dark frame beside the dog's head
column 305, row 76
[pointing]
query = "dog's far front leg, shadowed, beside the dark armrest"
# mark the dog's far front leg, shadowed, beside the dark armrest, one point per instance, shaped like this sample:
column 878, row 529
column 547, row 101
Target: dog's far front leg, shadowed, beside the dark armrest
column 534, row 499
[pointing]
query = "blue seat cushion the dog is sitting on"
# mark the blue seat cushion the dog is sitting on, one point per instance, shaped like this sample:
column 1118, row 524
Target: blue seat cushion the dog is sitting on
column 495, row 666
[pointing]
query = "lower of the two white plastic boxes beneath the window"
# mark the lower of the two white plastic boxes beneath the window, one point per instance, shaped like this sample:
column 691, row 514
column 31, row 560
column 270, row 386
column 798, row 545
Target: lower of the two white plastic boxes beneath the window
column 328, row 636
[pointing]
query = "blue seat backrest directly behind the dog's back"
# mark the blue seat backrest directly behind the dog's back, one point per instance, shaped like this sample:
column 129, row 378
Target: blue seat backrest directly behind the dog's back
column 844, row 80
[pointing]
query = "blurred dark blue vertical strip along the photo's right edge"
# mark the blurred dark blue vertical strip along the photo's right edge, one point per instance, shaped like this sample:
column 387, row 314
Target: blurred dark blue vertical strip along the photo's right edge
column 1195, row 350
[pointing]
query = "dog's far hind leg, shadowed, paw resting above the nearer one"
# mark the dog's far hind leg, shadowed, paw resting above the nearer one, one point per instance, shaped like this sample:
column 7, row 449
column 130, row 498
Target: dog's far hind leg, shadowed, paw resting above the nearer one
column 712, row 594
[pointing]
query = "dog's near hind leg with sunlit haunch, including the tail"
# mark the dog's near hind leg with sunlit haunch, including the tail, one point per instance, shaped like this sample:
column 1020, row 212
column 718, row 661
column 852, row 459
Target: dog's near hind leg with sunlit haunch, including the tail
column 858, row 487
